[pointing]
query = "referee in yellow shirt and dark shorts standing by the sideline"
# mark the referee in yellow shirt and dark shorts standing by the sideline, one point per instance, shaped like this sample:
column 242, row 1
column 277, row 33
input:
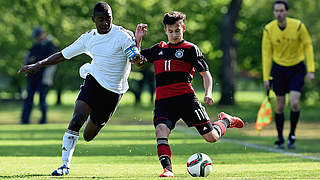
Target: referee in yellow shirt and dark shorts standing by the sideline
column 285, row 44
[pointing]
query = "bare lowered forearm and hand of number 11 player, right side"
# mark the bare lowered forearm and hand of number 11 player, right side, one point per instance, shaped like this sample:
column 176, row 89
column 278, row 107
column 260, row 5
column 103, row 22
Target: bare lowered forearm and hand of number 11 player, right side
column 207, row 83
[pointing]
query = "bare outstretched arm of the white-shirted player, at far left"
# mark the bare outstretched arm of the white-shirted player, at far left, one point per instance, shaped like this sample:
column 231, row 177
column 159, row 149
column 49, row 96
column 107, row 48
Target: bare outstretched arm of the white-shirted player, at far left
column 51, row 60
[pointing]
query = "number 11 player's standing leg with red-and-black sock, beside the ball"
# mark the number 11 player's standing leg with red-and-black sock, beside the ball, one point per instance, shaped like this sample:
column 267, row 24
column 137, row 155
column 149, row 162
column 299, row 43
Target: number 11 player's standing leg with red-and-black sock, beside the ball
column 164, row 151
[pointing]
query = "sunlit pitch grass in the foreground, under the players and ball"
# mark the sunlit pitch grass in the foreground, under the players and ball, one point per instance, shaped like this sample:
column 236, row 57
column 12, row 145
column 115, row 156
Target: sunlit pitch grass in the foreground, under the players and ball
column 129, row 152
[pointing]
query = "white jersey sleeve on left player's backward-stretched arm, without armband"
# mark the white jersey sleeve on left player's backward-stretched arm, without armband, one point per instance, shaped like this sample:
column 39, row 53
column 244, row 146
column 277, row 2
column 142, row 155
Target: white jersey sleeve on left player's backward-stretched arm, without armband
column 76, row 48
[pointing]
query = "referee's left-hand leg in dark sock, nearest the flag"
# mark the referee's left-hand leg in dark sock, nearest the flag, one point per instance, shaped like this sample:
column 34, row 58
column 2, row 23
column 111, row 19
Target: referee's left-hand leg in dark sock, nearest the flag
column 279, row 119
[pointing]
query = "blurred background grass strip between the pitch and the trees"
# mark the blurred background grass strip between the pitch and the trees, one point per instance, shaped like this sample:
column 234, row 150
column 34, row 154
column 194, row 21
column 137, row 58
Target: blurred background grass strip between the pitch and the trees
column 247, row 106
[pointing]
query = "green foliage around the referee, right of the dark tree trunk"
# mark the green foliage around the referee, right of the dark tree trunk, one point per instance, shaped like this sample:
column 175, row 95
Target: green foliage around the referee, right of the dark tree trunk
column 254, row 16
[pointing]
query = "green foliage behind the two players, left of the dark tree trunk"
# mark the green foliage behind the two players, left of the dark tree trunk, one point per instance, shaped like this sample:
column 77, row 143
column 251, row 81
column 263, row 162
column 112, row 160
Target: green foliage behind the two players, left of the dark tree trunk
column 67, row 20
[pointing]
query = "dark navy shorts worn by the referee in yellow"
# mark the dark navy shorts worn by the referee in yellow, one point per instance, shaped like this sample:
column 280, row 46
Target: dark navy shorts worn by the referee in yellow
column 286, row 79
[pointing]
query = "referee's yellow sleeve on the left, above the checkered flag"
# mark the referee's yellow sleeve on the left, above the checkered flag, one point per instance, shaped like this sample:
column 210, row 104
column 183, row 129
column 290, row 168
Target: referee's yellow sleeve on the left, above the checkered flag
column 266, row 55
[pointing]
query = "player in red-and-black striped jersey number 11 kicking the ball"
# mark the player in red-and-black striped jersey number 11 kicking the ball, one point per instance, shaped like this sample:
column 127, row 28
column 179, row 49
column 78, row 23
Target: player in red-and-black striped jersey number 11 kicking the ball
column 175, row 63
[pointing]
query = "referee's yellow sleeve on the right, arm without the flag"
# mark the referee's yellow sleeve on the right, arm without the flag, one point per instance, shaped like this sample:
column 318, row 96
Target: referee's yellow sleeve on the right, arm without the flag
column 307, row 44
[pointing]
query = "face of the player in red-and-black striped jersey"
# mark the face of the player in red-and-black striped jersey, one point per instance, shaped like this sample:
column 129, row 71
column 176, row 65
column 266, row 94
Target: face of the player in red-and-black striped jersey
column 175, row 32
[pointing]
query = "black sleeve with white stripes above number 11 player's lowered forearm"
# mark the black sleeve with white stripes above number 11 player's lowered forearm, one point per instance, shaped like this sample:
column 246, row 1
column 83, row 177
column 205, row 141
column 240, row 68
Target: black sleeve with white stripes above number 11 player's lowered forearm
column 198, row 60
